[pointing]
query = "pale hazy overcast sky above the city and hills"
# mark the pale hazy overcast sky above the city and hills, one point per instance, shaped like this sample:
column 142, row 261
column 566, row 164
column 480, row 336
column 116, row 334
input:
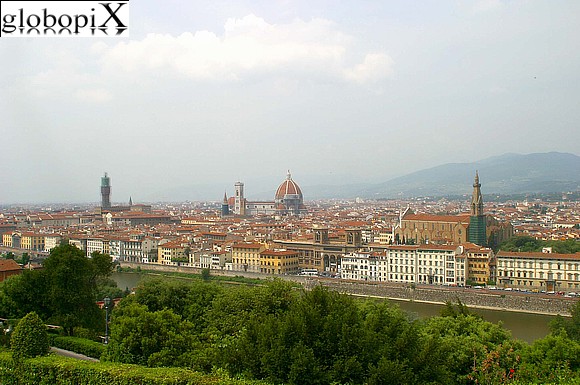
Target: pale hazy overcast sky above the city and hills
column 206, row 93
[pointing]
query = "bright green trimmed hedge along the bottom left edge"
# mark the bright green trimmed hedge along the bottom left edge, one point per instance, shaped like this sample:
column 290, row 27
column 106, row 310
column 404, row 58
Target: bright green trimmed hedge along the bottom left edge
column 56, row 370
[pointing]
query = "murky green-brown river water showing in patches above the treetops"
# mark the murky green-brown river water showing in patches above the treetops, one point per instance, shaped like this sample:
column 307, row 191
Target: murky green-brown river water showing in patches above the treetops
column 524, row 326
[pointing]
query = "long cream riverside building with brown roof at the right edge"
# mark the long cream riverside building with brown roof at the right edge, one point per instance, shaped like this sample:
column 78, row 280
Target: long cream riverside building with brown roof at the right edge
column 540, row 271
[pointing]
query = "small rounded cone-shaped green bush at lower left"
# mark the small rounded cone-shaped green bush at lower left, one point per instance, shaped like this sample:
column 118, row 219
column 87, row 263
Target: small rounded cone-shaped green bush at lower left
column 29, row 338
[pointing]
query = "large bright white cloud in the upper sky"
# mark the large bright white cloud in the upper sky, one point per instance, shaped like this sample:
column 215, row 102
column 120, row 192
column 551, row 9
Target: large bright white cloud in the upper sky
column 249, row 46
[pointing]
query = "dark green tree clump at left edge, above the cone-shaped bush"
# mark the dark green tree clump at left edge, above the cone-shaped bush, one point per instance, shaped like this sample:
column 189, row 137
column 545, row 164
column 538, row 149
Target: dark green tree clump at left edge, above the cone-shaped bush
column 63, row 293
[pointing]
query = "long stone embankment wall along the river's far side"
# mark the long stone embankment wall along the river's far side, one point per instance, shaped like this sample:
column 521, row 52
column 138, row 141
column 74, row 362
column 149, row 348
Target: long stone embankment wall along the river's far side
column 476, row 298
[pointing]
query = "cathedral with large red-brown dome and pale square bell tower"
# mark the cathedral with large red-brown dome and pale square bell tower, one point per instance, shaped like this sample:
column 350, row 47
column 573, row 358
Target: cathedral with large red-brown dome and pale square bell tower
column 288, row 200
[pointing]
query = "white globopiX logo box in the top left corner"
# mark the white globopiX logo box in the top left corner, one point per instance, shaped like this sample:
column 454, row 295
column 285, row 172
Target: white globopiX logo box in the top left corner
column 64, row 18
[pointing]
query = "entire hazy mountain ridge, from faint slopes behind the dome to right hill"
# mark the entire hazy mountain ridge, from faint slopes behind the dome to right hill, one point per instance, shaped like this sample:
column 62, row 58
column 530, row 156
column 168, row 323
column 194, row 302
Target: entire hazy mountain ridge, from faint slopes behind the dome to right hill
column 503, row 174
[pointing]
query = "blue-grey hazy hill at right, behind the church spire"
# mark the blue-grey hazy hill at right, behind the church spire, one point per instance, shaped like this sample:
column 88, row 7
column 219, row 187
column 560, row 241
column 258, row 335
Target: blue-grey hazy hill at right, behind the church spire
column 505, row 174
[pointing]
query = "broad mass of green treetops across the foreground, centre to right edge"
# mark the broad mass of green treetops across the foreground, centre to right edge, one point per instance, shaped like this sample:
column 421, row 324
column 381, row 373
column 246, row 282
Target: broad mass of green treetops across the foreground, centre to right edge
column 281, row 334
